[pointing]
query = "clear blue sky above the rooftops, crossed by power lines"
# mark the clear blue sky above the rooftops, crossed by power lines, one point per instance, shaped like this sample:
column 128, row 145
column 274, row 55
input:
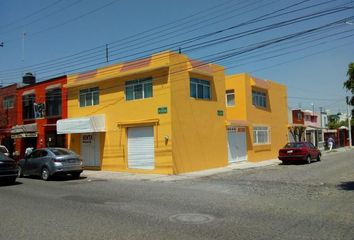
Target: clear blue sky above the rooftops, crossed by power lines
column 304, row 44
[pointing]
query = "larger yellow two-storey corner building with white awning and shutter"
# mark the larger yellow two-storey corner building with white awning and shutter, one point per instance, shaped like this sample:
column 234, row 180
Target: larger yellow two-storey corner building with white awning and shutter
column 163, row 114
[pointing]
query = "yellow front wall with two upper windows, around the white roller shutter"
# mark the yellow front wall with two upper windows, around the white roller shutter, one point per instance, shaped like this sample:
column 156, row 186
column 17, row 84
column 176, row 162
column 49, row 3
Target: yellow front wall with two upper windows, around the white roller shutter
column 121, row 114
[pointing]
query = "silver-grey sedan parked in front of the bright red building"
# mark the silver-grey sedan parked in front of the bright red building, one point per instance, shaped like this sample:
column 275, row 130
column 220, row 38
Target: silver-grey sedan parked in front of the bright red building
column 47, row 162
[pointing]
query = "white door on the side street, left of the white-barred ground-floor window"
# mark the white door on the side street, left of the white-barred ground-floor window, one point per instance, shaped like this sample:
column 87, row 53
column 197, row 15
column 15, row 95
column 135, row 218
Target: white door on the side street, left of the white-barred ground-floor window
column 237, row 146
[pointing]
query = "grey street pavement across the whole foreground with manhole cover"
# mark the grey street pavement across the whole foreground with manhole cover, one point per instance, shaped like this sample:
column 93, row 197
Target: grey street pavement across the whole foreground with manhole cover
column 276, row 202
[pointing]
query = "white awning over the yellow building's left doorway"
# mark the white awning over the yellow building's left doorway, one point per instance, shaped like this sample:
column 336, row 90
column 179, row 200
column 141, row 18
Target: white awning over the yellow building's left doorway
column 81, row 125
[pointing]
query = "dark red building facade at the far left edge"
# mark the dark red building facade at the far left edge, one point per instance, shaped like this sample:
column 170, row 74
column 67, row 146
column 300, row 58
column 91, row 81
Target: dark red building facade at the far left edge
column 8, row 115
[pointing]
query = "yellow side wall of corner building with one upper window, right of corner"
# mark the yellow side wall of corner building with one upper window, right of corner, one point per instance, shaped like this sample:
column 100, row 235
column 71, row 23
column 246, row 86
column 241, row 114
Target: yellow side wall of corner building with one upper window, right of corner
column 198, row 133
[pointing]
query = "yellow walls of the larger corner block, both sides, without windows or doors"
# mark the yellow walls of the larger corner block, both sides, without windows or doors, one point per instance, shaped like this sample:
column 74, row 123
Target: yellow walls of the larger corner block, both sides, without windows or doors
column 189, row 137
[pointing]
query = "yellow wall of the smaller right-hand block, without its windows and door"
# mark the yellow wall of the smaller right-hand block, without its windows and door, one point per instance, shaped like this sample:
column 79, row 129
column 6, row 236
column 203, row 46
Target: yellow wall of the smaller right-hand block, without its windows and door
column 275, row 116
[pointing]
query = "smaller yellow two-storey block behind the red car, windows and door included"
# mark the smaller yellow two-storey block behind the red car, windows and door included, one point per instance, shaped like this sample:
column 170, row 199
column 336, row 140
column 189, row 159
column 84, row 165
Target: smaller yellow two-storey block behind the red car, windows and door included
column 257, row 118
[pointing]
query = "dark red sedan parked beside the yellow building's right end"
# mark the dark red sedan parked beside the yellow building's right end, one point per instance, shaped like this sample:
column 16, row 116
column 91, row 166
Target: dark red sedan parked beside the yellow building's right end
column 299, row 151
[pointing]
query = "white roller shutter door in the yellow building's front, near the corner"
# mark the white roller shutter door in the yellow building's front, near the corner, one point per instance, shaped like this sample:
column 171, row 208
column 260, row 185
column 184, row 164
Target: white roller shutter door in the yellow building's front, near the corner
column 141, row 148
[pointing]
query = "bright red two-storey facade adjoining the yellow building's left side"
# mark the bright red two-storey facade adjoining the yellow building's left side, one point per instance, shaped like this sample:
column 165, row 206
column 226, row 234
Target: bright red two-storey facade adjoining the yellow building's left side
column 39, row 106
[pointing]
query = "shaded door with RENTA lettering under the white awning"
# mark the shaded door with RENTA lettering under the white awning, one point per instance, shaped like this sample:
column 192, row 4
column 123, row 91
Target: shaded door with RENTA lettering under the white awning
column 90, row 149
